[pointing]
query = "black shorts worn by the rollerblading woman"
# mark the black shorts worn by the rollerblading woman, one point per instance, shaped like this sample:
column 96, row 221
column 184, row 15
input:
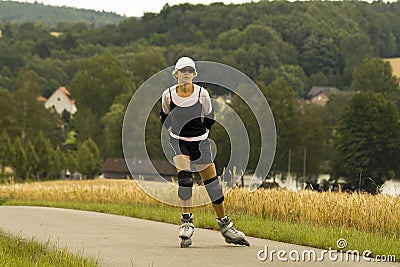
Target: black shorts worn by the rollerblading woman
column 198, row 151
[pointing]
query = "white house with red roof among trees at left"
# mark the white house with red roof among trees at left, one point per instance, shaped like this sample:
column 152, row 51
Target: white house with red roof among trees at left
column 61, row 100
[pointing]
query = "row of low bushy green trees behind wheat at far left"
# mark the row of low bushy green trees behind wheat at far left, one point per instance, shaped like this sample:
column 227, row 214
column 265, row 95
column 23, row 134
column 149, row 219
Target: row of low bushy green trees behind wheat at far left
column 39, row 159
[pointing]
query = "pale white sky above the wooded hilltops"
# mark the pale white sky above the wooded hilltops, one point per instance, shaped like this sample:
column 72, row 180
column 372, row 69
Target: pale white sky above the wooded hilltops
column 128, row 7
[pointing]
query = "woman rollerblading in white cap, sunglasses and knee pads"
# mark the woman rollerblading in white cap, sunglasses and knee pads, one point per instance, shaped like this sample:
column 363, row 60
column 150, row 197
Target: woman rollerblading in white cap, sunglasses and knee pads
column 188, row 115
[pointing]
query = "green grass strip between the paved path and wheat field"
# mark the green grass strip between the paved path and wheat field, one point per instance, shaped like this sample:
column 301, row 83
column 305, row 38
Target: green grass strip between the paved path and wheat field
column 256, row 226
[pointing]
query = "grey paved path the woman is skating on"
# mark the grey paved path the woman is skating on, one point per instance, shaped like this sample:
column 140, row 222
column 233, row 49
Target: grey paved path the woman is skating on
column 123, row 241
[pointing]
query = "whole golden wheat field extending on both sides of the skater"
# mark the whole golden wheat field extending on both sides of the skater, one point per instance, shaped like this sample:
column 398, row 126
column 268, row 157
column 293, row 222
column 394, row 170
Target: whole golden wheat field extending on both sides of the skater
column 363, row 212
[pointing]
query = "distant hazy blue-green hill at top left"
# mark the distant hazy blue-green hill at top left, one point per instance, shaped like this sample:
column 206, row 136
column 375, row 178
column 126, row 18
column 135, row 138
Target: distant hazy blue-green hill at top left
column 18, row 12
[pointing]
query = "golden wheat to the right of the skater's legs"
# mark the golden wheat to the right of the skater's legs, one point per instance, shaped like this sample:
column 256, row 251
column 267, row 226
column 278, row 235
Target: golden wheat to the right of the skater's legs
column 364, row 212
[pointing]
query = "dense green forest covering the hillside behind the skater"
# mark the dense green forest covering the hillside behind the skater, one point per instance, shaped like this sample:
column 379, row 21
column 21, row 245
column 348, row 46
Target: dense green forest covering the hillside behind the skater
column 285, row 47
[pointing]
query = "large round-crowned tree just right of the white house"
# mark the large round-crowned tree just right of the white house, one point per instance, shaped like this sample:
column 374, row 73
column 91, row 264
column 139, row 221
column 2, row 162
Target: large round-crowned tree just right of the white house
column 95, row 86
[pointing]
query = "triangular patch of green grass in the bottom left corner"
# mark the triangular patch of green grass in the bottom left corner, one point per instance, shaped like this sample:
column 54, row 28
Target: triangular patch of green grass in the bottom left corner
column 16, row 251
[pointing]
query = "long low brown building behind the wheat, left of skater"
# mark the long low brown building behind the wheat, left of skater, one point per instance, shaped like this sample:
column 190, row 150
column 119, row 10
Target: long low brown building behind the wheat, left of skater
column 144, row 169
